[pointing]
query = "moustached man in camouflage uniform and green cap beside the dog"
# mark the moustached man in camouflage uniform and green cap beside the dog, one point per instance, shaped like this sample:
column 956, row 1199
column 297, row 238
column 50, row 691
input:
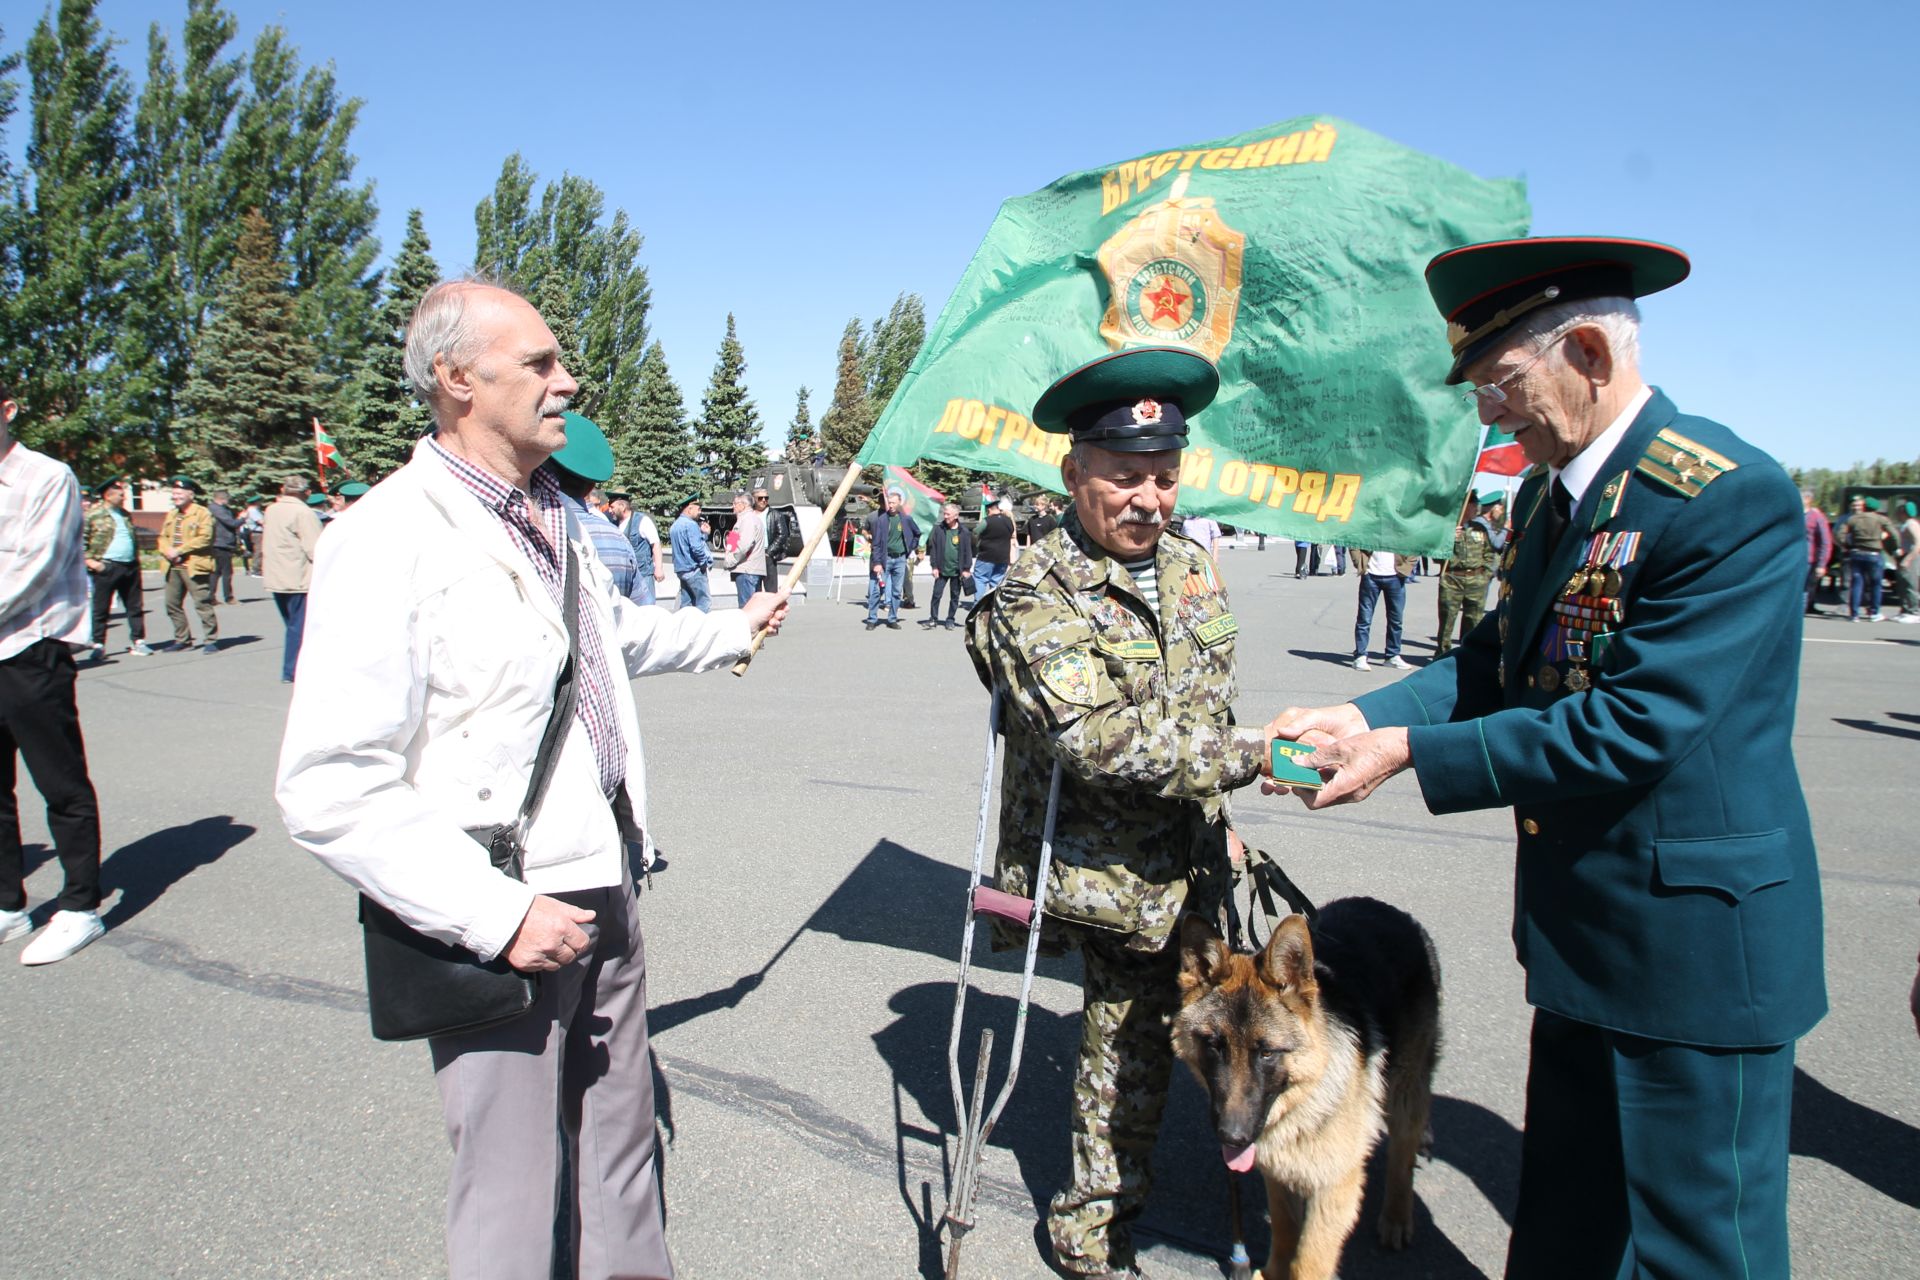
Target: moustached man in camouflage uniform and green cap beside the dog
column 1113, row 646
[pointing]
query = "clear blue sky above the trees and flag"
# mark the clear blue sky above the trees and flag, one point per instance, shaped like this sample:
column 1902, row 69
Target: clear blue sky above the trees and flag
column 805, row 164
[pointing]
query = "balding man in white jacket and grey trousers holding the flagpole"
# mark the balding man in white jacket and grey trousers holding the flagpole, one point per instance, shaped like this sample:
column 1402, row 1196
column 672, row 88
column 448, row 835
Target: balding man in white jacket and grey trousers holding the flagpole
column 433, row 640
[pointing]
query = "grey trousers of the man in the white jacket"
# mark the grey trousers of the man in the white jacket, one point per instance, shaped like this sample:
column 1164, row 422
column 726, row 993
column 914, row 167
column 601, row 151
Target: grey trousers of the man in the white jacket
column 577, row 1062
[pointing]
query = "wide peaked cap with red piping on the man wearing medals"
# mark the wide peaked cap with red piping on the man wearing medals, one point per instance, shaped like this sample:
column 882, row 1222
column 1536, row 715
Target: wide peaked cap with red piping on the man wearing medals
column 1487, row 289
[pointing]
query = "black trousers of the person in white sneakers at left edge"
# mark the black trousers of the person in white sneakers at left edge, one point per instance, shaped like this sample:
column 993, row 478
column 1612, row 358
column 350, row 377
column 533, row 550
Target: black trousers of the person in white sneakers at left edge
column 41, row 724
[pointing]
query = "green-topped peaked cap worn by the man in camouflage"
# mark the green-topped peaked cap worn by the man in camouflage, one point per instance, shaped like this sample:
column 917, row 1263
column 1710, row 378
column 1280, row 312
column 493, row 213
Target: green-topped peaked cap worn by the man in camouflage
column 1130, row 402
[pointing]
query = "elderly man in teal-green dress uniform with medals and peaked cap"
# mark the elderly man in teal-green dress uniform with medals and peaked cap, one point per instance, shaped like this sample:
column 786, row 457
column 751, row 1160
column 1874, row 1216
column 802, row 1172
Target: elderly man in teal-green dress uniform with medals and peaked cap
column 1633, row 701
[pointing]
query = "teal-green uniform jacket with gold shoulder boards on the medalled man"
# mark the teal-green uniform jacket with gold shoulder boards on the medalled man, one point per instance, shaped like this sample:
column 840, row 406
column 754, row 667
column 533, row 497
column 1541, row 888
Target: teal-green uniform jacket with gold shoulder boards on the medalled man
column 1666, row 872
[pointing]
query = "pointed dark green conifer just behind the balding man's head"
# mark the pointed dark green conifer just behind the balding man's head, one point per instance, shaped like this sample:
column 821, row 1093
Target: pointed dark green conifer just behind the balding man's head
column 387, row 415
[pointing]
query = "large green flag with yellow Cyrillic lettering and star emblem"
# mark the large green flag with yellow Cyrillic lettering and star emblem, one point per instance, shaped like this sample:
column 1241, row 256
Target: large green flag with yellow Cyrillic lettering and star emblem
column 1293, row 258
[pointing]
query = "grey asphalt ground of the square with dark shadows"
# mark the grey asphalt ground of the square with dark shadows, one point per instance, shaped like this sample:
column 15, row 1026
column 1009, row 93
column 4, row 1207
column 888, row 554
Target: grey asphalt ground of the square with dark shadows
column 199, row 1095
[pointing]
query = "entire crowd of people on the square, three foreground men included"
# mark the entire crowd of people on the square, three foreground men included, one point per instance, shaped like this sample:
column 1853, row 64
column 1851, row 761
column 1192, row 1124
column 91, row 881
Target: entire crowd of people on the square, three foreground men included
column 464, row 749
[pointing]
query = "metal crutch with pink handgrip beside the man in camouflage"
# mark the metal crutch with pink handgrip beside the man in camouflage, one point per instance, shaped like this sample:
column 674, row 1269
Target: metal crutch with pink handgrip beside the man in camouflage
column 1024, row 913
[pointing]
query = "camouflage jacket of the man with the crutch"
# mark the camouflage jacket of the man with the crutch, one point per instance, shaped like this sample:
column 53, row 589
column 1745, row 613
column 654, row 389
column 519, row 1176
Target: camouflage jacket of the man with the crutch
column 1138, row 707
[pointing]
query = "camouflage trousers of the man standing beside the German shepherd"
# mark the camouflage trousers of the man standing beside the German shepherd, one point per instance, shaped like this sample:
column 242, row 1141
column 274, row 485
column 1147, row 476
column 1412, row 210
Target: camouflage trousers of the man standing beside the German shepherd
column 1120, row 1089
